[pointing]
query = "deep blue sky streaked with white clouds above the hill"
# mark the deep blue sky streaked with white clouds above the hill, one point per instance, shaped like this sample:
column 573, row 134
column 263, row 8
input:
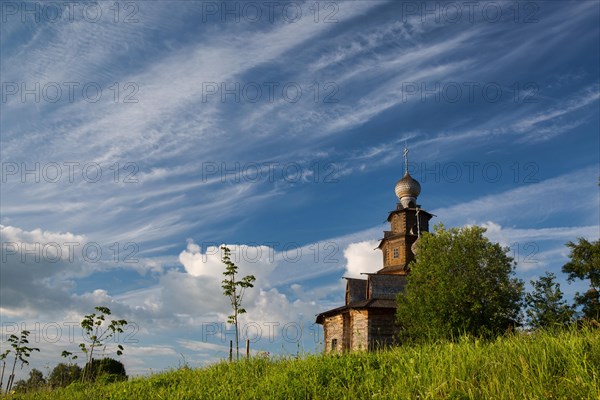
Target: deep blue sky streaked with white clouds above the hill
column 136, row 138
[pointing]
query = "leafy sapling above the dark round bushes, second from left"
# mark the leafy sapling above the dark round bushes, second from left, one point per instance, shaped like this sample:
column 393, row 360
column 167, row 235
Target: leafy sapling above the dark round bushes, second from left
column 98, row 334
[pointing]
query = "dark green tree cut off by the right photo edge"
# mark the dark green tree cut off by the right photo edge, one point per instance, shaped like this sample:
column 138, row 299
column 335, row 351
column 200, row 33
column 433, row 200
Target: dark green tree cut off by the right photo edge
column 585, row 264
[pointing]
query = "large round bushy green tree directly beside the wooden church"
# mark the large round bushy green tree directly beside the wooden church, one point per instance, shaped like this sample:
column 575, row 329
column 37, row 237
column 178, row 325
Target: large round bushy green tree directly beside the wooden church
column 460, row 283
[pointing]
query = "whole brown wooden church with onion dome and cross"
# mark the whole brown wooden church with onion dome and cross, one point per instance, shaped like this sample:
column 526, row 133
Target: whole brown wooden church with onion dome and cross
column 368, row 319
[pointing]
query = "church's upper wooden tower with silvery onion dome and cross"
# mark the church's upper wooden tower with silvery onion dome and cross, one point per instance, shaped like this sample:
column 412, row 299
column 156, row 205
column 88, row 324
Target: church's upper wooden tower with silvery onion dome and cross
column 407, row 222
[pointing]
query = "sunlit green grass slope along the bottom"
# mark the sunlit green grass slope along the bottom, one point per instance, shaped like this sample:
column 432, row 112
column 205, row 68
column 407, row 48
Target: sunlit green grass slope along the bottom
column 564, row 365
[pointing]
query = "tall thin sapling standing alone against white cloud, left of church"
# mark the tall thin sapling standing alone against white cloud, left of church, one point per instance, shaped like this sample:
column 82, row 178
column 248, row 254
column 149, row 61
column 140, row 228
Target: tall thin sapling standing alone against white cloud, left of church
column 235, row 291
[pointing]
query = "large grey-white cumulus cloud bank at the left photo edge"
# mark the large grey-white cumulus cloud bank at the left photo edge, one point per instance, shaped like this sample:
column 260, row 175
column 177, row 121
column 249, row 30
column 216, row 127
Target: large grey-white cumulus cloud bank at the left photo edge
column 41, row 270
